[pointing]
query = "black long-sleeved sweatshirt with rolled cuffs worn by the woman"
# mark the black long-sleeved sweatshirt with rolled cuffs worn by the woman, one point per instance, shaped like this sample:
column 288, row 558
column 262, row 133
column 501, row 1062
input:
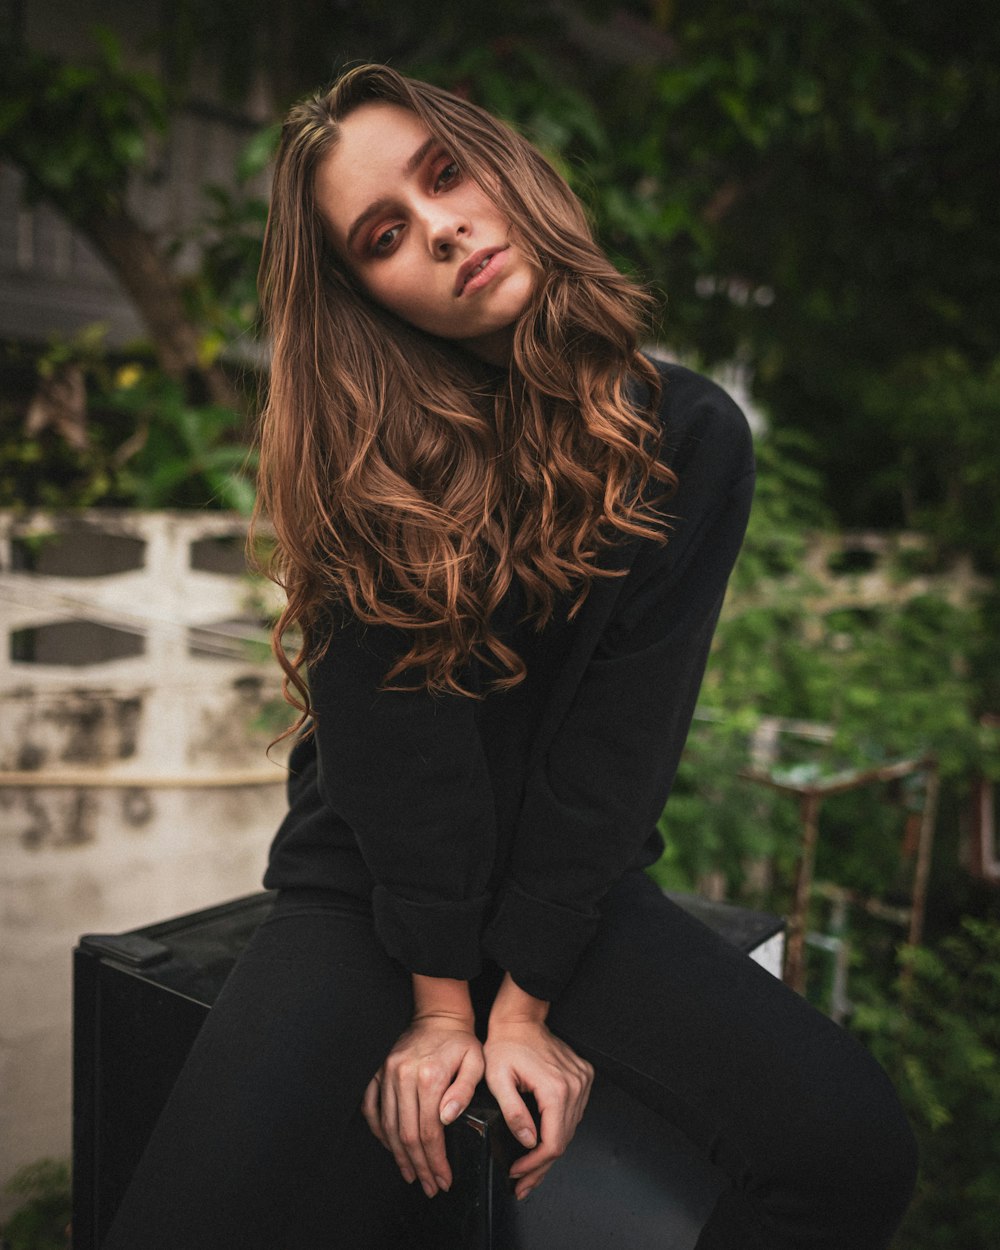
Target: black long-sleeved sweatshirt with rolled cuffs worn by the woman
column 494, row 828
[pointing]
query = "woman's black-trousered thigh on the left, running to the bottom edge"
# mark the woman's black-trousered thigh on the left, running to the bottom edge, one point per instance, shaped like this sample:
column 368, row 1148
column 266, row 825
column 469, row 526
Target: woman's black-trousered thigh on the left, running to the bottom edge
column 262, row 1143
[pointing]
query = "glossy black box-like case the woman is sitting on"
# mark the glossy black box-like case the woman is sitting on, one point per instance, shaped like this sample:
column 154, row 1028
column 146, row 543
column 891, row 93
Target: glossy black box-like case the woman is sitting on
column 627, row 1181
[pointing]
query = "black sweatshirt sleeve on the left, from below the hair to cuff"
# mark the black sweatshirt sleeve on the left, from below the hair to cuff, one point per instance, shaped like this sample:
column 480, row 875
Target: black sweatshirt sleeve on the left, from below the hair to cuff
column 408, row 773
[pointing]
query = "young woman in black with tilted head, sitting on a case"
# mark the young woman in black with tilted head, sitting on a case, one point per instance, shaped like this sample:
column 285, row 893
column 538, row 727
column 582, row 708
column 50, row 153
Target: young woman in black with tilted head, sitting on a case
column 504, row 536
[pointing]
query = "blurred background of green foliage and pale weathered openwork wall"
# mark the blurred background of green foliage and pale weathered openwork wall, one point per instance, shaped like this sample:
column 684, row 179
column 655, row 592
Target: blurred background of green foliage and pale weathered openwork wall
column 812, row 192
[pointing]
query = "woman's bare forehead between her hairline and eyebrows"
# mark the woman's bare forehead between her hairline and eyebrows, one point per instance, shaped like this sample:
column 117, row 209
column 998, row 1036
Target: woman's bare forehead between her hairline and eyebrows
column 368, row 162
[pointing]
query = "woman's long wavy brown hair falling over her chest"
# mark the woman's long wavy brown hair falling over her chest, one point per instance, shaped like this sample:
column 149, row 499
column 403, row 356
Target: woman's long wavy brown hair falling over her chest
column 409, row 484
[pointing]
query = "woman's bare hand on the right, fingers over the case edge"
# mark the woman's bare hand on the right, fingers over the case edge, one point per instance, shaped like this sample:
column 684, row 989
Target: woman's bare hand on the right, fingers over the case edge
column 524, row 1057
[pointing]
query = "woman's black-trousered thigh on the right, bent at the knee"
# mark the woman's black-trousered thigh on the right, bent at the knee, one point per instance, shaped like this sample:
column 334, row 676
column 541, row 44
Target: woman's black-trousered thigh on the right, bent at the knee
column 787, row 1103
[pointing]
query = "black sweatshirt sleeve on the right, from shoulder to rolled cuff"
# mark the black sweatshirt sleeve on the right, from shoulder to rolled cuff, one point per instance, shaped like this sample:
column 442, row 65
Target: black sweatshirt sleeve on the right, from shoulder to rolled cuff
column 597, row 791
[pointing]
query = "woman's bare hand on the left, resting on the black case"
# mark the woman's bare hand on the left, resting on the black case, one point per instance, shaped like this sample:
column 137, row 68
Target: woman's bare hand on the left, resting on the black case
column 427, row 1082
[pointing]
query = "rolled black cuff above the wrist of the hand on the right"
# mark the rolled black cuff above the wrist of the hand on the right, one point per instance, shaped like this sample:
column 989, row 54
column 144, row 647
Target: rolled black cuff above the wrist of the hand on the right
column 538, row 943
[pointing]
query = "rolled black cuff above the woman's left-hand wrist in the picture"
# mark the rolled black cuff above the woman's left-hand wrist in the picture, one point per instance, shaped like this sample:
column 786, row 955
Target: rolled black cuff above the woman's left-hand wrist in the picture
column 433, row 939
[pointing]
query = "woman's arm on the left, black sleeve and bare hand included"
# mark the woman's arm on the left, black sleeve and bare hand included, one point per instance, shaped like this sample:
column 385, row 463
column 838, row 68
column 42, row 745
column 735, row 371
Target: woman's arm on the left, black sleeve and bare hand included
column 407, row 772
